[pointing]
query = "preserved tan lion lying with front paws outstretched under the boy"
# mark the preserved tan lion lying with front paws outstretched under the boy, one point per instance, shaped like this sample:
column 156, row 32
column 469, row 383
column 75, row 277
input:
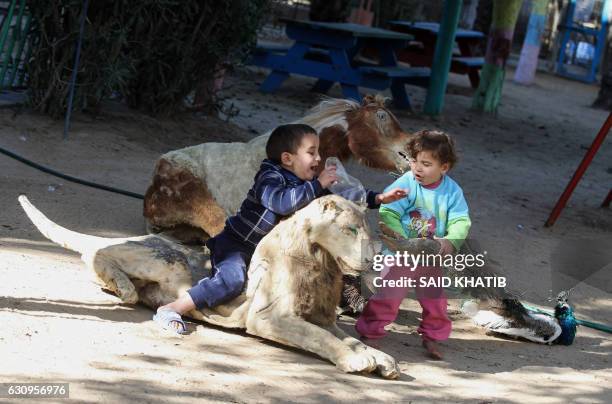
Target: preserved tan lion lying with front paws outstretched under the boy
column 294, row 278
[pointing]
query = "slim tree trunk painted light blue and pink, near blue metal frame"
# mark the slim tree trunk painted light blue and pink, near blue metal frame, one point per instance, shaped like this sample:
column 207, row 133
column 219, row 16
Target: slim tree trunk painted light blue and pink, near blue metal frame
column 528, row 63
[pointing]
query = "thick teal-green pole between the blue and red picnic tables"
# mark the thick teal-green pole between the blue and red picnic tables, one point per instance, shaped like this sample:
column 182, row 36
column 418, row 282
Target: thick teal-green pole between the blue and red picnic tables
column 442, row 57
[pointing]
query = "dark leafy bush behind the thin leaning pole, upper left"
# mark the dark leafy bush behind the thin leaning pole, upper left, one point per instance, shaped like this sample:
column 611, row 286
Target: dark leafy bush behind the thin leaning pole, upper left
column 153, row 53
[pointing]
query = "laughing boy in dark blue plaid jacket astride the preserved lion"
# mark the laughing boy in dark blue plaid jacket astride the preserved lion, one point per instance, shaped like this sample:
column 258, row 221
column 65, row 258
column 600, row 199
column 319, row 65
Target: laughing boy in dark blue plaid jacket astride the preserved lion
column 284, row 183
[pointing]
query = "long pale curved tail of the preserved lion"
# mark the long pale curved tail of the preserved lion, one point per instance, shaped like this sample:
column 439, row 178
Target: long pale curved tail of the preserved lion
column 82, row 243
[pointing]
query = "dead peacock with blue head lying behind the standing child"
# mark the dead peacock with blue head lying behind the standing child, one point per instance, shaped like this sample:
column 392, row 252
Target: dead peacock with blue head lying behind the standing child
column 499, row 310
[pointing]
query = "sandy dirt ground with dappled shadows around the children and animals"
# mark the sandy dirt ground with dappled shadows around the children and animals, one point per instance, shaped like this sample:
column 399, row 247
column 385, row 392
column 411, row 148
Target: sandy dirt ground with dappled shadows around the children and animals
column 58, row 326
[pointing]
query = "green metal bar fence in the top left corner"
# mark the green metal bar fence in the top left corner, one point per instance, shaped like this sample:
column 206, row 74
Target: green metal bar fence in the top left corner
column 15, row 43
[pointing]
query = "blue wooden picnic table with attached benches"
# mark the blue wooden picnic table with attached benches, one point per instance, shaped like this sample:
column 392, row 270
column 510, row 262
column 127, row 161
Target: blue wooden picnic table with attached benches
column 328, row 52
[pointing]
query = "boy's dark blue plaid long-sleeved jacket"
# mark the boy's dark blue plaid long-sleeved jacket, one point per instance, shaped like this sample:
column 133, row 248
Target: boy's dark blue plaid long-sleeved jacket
column 277, row 193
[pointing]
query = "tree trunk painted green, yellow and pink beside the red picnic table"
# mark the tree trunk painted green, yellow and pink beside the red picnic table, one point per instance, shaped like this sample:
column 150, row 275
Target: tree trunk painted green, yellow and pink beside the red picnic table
column 488, row 95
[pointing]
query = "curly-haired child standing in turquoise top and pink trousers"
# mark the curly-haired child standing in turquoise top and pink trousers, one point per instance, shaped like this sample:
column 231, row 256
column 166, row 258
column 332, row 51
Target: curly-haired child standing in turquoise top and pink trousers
column 435, row 208
